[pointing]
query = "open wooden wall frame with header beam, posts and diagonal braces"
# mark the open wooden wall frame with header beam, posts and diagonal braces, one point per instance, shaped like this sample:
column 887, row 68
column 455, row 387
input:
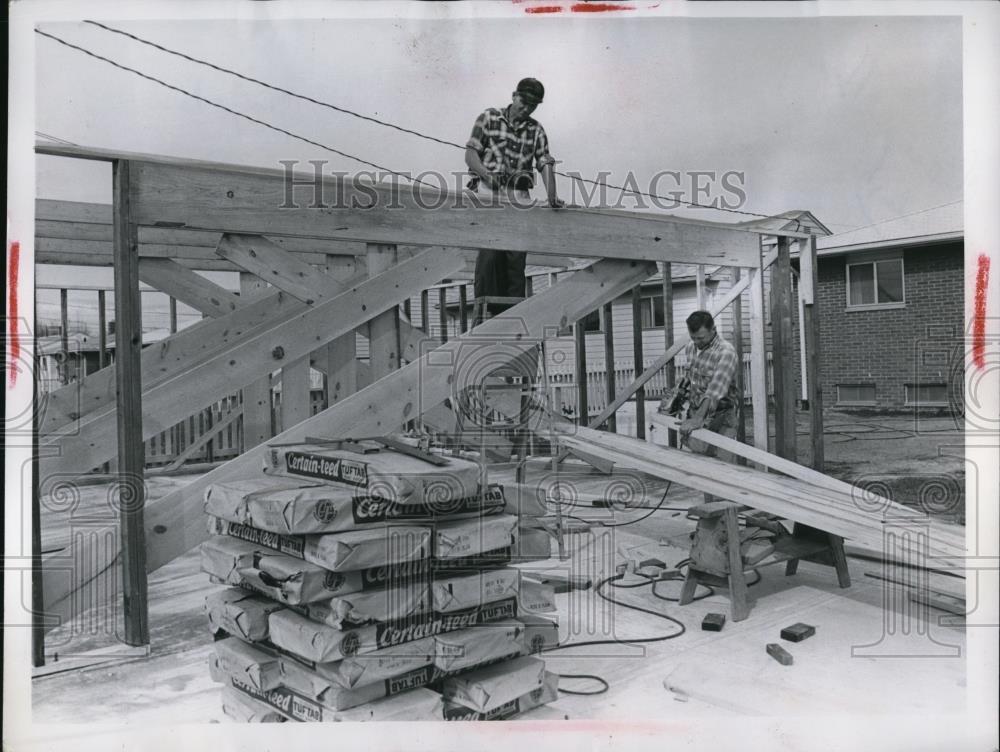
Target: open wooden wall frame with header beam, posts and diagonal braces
column 320, row 259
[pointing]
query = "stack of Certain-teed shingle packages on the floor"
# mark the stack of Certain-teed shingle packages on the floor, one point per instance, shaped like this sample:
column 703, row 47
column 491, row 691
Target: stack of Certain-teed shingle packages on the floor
column 371, row 585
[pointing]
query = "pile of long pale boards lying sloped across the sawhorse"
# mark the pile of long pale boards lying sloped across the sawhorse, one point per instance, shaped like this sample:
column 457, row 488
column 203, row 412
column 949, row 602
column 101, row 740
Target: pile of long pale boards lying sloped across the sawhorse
column 833, row 511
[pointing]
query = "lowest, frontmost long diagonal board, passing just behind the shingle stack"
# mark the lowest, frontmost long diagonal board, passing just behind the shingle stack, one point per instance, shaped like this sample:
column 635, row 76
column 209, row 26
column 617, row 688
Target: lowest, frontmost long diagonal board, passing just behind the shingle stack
column 175, row 522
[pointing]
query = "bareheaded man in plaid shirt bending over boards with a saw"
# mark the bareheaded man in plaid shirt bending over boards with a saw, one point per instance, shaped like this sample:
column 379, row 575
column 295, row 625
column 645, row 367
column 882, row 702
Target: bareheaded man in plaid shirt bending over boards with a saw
column 711, row 383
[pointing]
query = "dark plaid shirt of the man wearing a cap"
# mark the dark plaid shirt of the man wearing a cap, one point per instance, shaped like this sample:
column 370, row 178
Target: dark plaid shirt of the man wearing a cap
column 508, row 149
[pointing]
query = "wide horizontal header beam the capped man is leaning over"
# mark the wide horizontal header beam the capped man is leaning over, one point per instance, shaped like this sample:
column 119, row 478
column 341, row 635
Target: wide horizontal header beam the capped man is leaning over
column 233, row 200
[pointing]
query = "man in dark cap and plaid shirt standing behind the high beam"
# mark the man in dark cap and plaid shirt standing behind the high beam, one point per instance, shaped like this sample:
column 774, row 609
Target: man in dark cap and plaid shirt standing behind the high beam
column 501, row 153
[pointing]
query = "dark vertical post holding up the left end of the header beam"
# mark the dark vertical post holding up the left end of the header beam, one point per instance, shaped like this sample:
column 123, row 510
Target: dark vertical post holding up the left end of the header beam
column 131, row 450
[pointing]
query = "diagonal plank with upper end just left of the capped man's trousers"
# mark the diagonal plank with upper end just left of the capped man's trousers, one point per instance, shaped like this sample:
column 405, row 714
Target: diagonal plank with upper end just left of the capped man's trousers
column 255, row 355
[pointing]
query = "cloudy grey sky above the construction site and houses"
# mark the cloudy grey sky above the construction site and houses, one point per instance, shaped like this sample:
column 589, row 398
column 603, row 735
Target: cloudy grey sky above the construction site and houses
column 855, row 119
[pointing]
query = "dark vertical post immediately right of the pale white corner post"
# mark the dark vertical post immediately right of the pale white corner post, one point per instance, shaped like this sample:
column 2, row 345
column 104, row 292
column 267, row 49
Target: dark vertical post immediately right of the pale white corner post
column 784, row 352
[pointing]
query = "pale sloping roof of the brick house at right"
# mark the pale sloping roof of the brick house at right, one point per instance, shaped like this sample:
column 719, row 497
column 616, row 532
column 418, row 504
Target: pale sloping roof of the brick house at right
column 933, row 225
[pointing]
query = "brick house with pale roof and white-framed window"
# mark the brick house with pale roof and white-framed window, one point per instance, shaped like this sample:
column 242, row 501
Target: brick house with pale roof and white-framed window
column 891, row 313
